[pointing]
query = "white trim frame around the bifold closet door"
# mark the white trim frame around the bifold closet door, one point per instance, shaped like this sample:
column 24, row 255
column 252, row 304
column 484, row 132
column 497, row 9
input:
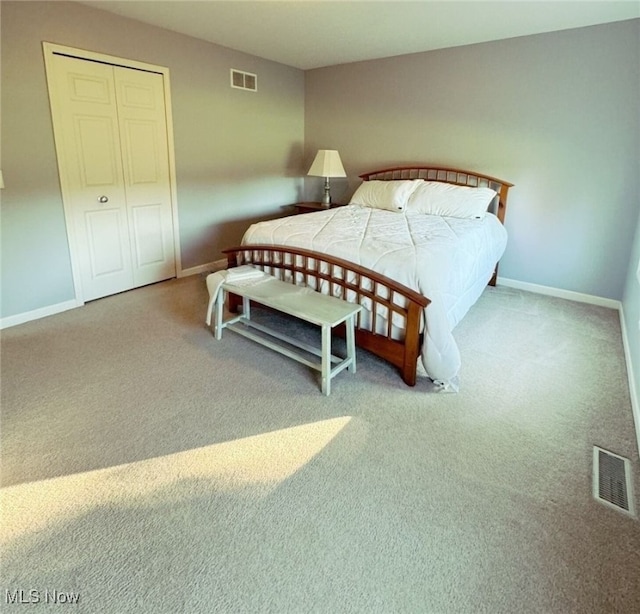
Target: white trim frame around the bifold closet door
column 50, row 49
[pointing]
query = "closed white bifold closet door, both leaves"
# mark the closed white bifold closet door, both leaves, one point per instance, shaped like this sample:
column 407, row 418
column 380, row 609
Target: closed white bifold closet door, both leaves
column 115, row 162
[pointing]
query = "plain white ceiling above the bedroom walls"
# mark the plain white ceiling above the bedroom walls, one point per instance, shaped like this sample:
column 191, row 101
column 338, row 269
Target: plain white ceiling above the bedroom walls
column 314, row 33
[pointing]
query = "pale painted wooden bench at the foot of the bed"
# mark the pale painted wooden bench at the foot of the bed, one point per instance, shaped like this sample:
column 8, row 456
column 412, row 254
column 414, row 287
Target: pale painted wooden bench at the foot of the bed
column 300, row 302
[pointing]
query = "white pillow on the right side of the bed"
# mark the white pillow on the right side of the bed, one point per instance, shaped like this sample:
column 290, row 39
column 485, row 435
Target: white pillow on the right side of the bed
column 437, row 198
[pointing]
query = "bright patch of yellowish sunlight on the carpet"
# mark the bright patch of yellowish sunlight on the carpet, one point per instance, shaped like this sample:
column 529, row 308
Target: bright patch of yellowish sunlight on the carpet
column 253, row 466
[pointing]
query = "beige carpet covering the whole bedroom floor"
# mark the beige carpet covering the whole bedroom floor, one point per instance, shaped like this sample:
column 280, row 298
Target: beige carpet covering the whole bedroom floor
column 148, row 468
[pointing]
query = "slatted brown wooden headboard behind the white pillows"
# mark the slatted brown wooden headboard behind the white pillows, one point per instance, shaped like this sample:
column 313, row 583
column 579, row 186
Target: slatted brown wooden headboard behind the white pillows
column 447, row 175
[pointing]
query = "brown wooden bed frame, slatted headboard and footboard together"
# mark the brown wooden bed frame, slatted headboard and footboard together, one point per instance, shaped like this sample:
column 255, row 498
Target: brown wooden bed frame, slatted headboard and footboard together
column 361, row 285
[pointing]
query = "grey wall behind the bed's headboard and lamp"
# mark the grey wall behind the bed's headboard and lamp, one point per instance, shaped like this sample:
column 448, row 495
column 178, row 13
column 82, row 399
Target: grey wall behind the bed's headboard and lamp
column 556, row 114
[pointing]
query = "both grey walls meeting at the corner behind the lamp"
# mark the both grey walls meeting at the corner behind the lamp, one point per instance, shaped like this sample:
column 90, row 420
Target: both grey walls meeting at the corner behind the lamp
column 556, row 114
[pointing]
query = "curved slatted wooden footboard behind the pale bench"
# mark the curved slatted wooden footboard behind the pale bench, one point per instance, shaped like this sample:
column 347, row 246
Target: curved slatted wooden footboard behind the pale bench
column 390, row 306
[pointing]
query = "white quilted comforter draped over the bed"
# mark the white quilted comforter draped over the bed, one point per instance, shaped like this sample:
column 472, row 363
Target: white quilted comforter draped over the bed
column 448, row 260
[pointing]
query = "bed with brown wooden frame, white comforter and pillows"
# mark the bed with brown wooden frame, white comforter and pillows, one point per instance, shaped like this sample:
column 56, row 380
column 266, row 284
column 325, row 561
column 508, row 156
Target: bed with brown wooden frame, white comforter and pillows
column 416, row 246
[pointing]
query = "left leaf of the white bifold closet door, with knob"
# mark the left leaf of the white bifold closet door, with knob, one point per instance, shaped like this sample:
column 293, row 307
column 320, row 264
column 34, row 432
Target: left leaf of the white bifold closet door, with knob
column 87, row 113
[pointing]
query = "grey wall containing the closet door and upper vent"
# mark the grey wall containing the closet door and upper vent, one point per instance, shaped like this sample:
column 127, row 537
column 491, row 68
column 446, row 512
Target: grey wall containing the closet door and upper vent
column 238, row 154
